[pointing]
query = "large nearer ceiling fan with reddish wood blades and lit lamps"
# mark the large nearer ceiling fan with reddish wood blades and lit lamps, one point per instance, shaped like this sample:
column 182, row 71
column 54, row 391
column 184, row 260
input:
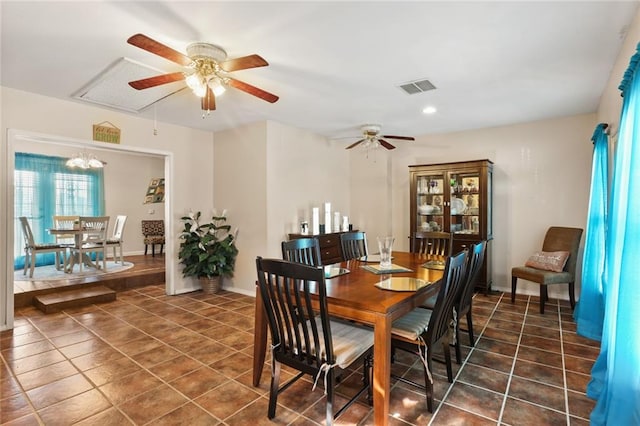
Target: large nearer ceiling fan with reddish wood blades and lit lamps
column 207, row 70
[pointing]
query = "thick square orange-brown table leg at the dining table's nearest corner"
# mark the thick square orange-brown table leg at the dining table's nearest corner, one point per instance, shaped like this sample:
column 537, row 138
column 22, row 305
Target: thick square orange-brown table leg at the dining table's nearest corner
column 381, row 369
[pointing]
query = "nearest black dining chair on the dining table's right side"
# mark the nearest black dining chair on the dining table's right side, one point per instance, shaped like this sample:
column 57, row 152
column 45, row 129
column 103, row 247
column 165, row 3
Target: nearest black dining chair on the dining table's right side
column 421, row 330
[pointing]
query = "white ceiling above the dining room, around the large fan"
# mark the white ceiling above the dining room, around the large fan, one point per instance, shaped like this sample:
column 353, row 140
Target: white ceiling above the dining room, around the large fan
column 337, row 65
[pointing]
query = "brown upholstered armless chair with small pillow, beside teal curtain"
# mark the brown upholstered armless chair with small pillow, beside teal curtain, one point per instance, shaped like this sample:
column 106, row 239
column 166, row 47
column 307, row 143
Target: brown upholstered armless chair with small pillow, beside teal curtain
column 557, row 239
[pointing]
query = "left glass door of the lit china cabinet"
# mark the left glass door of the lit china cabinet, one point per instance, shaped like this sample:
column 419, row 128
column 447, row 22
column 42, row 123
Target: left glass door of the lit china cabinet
column 430, row 202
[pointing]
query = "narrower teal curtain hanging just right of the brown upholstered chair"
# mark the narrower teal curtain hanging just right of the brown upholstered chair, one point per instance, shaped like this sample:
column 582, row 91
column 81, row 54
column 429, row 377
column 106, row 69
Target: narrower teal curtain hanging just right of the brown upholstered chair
column 589, row 313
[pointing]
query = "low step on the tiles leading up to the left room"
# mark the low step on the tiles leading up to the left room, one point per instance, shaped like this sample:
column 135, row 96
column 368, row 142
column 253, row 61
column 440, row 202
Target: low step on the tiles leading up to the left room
column 56, row 302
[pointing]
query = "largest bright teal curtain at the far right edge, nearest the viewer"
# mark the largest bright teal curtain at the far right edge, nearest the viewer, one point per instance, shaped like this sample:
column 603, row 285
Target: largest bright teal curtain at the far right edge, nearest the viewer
column 615, row 377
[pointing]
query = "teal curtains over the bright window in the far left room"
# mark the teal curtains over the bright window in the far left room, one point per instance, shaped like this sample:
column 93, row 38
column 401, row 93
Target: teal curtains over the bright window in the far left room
column 44, row 187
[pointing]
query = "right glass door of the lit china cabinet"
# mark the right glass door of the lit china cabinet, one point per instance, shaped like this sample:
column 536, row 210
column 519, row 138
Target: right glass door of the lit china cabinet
column 465, row 202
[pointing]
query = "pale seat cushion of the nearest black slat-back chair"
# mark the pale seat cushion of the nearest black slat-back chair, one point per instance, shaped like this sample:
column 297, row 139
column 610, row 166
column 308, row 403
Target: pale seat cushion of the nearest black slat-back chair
column 349, row 341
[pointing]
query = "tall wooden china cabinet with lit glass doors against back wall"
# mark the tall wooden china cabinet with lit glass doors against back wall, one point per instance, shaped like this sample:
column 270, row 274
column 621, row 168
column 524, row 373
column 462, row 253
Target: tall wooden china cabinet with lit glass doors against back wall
column 455, row 198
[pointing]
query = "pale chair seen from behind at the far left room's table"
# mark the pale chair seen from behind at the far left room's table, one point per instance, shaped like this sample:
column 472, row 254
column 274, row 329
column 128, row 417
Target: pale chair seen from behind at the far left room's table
column 93, row 239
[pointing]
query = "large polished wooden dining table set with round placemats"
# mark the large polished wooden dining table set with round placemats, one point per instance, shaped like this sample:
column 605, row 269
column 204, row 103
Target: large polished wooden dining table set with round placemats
column 354, row 296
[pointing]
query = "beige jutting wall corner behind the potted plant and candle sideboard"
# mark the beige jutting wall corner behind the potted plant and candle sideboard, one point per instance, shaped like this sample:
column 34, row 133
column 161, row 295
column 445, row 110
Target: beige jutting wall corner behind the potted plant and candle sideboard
column 269, row 176
